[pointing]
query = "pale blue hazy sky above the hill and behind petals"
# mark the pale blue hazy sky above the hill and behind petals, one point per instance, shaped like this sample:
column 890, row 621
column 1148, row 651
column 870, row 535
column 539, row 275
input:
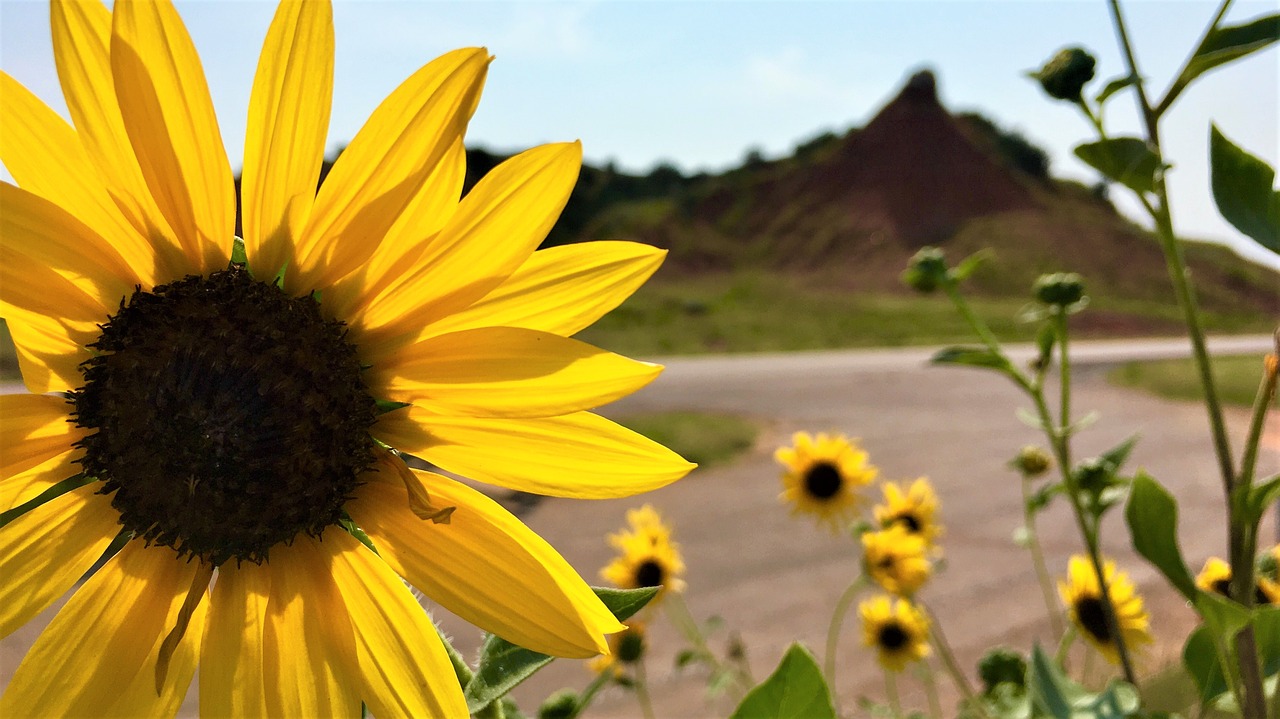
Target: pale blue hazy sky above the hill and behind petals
column 702, row 84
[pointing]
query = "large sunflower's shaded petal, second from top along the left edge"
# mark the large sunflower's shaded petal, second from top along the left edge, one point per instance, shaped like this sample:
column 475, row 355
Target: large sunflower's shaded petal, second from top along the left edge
column 35, row 231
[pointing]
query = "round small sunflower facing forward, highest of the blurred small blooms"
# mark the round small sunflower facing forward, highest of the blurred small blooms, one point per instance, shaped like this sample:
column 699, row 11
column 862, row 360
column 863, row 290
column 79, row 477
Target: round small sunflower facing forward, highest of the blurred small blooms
column 824, row 475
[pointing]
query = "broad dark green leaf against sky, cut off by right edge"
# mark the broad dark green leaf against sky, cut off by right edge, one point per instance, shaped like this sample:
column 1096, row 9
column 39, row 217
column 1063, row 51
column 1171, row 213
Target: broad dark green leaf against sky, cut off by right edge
column 1242, row 189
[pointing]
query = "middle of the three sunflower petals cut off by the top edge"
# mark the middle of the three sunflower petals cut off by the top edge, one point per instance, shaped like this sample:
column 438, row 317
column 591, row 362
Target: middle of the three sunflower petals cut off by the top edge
column 170, row 118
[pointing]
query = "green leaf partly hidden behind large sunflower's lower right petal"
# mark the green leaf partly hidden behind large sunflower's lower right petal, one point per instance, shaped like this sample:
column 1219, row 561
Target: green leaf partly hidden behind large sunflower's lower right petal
column 504, row 665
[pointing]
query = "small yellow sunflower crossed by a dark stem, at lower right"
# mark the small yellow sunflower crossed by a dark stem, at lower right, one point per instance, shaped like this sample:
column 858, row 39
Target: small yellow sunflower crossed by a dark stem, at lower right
column 1084, row 601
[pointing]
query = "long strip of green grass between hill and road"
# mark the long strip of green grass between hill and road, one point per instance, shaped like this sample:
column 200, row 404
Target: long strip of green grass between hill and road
column 761, row 313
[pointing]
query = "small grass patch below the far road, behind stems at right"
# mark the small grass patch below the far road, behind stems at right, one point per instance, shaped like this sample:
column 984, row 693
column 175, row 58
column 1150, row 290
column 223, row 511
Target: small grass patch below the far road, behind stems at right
column 1236, row 378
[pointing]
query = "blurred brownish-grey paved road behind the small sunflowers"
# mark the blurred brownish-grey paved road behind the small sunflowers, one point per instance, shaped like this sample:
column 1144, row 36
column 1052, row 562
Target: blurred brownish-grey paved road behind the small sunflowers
column 775, row 580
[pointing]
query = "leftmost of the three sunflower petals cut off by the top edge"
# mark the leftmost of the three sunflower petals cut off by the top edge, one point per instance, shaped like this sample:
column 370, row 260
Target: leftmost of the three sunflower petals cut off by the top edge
column 83, row 36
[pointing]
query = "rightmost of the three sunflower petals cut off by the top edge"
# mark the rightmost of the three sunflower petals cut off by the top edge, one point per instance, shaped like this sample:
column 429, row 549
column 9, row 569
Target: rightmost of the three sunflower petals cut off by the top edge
column 289, row 121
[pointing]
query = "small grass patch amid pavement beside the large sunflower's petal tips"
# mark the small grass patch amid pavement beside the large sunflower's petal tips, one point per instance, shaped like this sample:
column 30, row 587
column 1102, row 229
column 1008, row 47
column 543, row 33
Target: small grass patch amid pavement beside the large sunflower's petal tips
column 700, row 437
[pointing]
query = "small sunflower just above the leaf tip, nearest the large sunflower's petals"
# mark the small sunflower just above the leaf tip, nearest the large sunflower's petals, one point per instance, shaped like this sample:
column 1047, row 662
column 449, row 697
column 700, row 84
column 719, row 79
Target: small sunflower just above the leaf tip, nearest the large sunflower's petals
column 647, row 556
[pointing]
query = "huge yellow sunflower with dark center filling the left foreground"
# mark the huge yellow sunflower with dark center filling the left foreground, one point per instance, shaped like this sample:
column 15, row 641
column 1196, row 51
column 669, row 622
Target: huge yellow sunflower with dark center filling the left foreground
column 231, row 413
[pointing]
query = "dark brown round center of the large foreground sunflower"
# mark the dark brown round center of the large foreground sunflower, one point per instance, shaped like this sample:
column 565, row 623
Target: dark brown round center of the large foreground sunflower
column 226, row 416
